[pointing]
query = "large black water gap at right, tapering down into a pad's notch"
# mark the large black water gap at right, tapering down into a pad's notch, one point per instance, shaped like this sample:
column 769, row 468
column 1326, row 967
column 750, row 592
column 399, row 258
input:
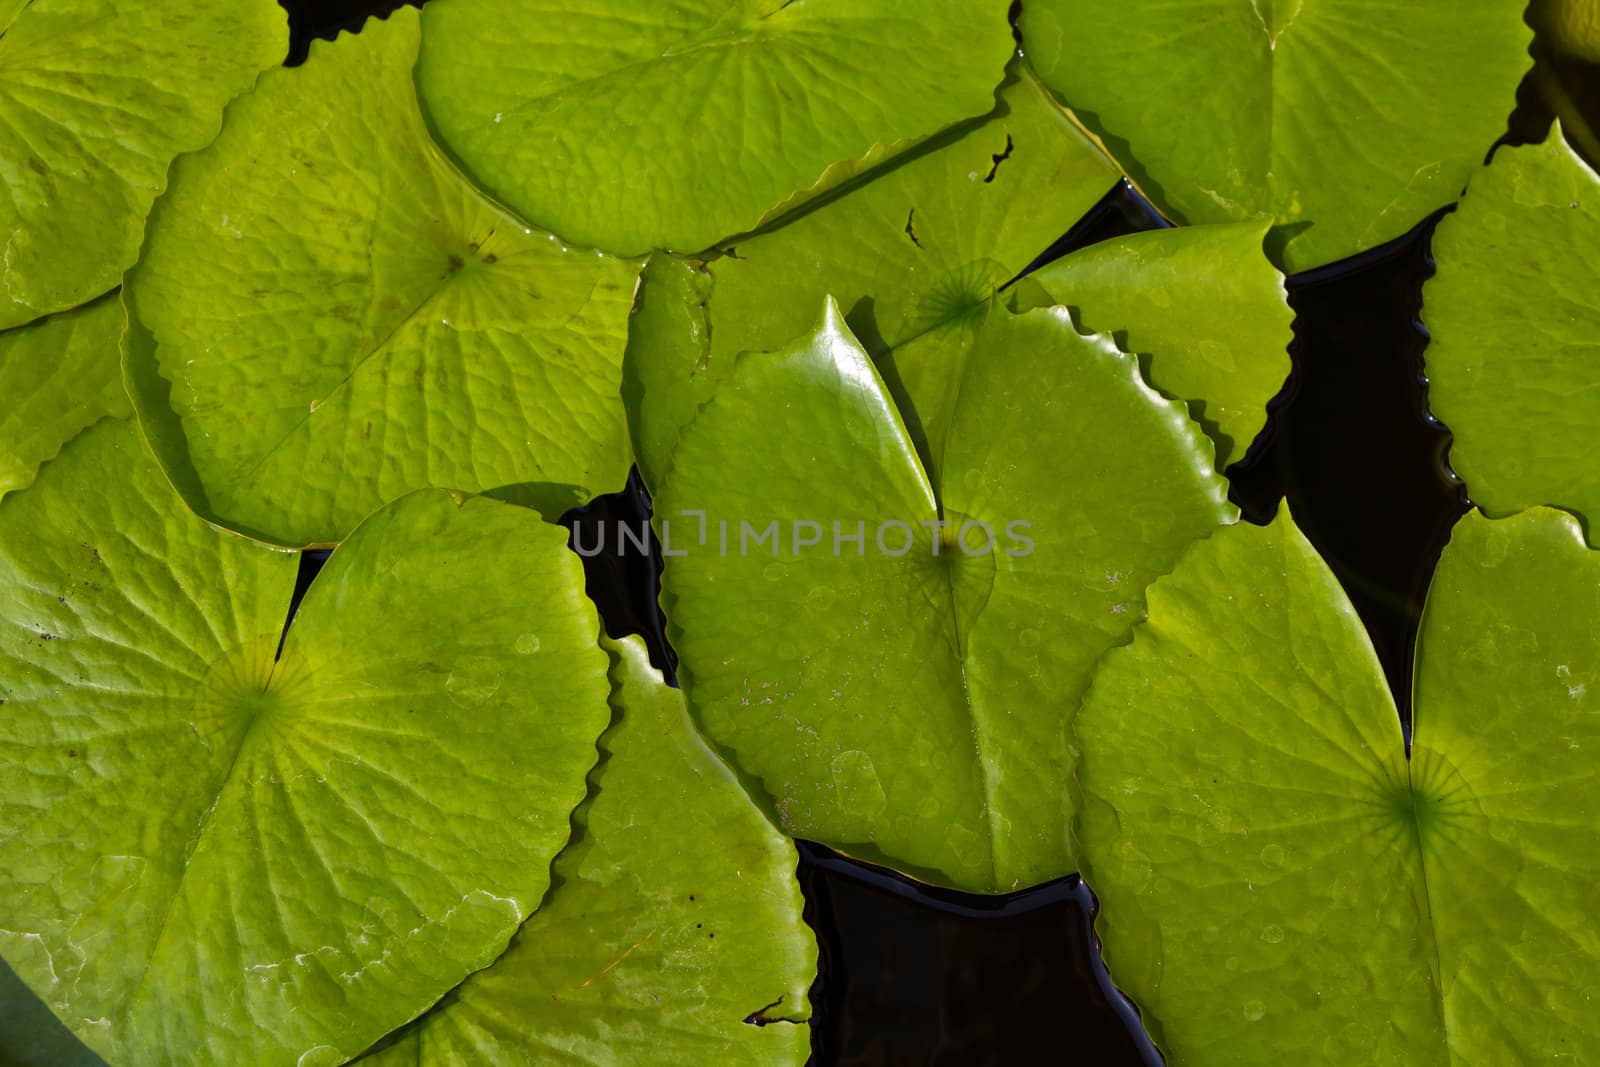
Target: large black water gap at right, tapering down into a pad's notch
column 1353, row 449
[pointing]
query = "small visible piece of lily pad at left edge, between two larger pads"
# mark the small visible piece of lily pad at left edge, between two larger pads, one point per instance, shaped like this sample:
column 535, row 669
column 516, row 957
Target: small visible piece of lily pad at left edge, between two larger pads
column 58, row 377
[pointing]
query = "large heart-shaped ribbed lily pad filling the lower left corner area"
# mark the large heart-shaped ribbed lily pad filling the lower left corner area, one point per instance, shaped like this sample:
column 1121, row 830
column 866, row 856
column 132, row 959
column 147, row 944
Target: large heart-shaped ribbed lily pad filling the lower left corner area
column 215, row 855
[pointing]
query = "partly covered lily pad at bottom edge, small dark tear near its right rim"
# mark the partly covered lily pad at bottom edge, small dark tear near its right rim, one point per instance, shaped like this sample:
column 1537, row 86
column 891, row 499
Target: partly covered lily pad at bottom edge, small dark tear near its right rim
column 673, row 935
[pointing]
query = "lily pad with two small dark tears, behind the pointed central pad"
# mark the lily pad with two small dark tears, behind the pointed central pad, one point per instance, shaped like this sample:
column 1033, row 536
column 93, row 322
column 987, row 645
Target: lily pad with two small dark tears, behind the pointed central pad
column 929, row 242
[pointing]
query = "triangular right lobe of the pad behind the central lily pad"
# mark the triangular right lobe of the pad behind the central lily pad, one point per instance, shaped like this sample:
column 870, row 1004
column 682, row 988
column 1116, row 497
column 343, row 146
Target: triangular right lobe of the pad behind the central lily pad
column 1206, row 311
